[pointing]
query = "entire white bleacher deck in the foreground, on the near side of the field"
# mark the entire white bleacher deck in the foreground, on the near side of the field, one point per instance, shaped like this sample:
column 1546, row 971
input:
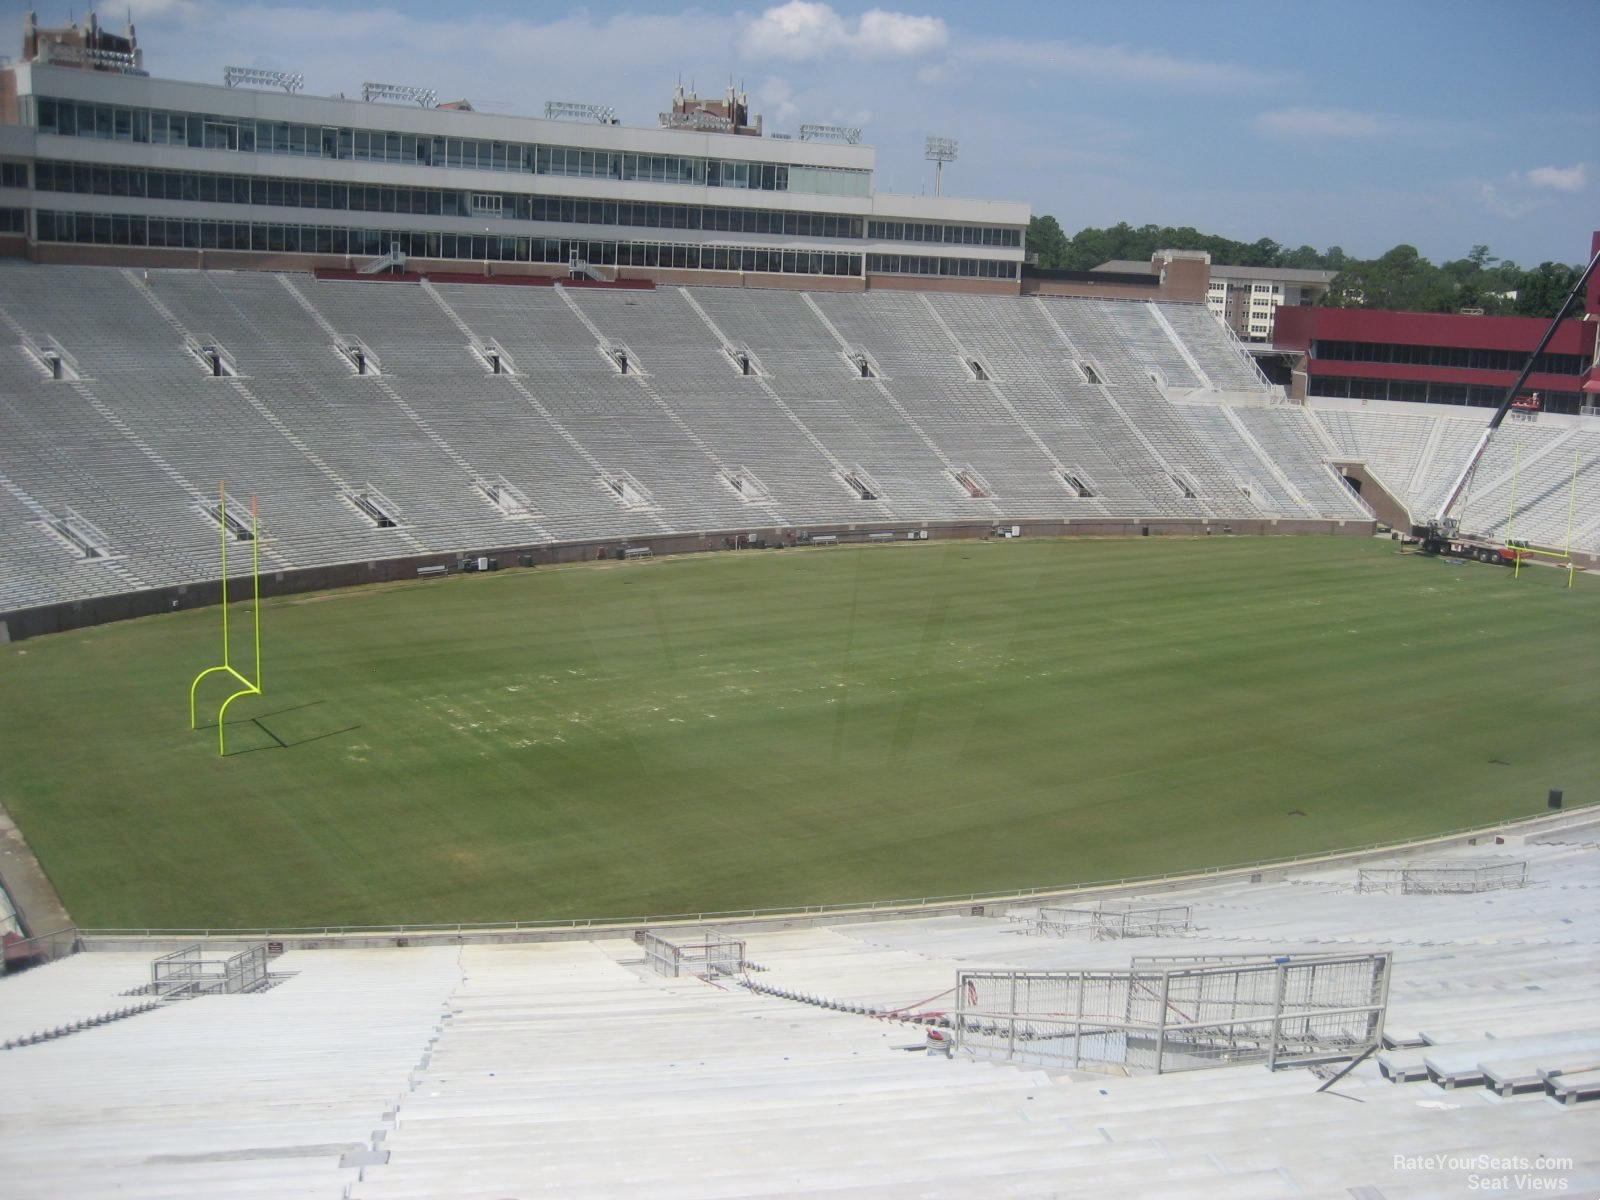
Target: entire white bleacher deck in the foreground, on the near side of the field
column 566, row 1070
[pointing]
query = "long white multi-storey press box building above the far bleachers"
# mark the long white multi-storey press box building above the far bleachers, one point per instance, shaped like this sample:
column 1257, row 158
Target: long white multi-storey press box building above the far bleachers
column 106, row 166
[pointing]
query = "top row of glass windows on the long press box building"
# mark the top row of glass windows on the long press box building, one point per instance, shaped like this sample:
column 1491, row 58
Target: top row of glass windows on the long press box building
column 79, row 119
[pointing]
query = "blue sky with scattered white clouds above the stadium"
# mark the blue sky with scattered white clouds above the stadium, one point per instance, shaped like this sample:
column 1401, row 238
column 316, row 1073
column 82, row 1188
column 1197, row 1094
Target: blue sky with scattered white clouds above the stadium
column 1353, row 124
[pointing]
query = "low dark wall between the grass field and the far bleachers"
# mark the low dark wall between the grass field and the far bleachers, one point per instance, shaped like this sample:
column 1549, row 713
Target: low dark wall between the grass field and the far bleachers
column 26, row 623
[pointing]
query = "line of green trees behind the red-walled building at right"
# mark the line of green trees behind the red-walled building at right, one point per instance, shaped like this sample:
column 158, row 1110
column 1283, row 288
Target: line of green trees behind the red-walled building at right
column 1399, row 279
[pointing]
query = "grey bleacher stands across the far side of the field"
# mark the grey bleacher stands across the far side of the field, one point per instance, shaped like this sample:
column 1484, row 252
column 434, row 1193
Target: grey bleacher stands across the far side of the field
column 978, row 410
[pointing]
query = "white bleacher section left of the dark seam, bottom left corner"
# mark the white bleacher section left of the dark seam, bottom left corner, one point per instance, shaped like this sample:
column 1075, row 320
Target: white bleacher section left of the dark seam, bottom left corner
column 231, row 1095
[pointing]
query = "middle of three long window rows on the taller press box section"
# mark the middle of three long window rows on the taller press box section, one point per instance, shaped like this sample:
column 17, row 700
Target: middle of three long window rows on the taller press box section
column 202, row 186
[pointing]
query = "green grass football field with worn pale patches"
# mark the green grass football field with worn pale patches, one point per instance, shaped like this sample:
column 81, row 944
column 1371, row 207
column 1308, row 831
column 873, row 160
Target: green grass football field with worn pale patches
column 804, row 727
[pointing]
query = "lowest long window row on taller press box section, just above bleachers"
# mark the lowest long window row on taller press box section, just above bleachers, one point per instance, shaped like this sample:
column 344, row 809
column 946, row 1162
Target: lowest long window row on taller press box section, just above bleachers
column 286, row 239
